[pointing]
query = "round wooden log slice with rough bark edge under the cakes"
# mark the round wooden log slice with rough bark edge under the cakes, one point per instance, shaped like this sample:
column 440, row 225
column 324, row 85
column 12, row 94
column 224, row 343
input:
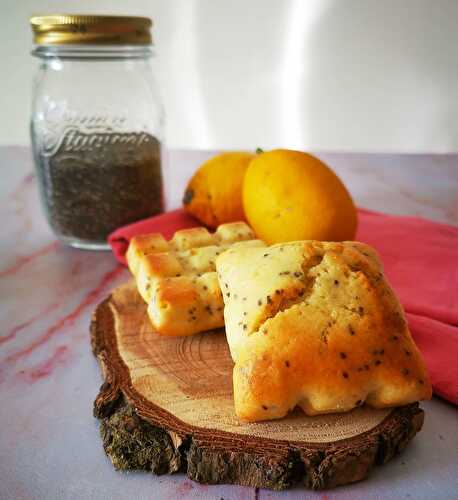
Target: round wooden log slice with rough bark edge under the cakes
column 166, row 405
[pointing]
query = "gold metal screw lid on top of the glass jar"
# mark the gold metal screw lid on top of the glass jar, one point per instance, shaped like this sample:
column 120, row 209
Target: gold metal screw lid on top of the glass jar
column 87, row 29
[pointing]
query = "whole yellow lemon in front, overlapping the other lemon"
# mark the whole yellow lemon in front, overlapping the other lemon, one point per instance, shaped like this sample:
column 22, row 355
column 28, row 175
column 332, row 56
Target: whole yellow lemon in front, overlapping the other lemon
column 290, row 195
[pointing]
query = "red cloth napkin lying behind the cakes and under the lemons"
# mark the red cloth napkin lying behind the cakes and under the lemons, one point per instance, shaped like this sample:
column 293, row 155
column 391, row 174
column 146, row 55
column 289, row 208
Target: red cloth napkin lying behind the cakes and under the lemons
column 420, row 258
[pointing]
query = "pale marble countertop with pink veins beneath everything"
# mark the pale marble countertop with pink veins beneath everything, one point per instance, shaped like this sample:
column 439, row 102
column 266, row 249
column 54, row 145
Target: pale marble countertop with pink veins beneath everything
column 49, row 441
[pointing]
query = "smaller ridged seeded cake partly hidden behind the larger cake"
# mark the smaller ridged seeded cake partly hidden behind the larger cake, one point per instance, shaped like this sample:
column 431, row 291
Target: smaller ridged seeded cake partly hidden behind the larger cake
column 177, row 278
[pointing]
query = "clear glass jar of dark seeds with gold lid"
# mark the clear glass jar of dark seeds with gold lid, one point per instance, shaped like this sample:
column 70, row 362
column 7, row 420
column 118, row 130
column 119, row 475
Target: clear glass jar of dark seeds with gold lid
column 96, row 125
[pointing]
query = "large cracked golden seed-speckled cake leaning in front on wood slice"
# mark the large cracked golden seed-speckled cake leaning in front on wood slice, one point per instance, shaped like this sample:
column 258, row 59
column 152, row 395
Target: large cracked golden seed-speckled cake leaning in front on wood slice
column 316, row 325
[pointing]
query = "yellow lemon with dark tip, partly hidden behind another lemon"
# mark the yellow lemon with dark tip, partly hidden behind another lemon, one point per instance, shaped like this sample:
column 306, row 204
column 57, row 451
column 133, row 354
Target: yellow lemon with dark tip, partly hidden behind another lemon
column 214, row 193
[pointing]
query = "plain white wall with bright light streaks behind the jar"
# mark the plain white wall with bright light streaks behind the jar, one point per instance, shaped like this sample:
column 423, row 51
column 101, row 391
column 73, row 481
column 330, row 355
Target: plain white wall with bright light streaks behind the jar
column 373, row 75
